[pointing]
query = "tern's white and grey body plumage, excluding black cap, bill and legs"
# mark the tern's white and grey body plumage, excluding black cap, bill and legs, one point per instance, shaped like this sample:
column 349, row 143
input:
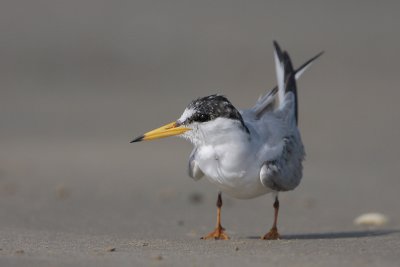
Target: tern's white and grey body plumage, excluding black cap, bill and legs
column 239, row 163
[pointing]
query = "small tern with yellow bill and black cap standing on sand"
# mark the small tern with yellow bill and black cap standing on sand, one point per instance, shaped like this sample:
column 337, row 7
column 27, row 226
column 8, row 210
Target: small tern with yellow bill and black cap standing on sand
column 245, row 153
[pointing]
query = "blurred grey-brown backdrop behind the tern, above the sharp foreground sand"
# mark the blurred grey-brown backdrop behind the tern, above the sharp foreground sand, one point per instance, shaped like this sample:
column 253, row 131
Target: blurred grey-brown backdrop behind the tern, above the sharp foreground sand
column 80, row 79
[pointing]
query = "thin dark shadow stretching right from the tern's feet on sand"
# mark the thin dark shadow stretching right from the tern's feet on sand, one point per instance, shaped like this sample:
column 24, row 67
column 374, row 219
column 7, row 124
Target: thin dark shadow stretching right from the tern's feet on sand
column 335, row 235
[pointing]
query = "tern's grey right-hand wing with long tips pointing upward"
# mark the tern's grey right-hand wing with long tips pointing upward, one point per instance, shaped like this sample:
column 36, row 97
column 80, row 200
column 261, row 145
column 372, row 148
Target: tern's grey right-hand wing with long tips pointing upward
column 282, row 170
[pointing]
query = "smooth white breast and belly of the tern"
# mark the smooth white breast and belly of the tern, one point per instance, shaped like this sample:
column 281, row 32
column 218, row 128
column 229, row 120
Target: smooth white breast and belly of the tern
column 228, row 157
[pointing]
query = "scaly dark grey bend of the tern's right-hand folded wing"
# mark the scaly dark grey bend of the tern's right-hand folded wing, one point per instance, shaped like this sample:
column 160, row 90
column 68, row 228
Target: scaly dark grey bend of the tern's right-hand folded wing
column 284, row 172
